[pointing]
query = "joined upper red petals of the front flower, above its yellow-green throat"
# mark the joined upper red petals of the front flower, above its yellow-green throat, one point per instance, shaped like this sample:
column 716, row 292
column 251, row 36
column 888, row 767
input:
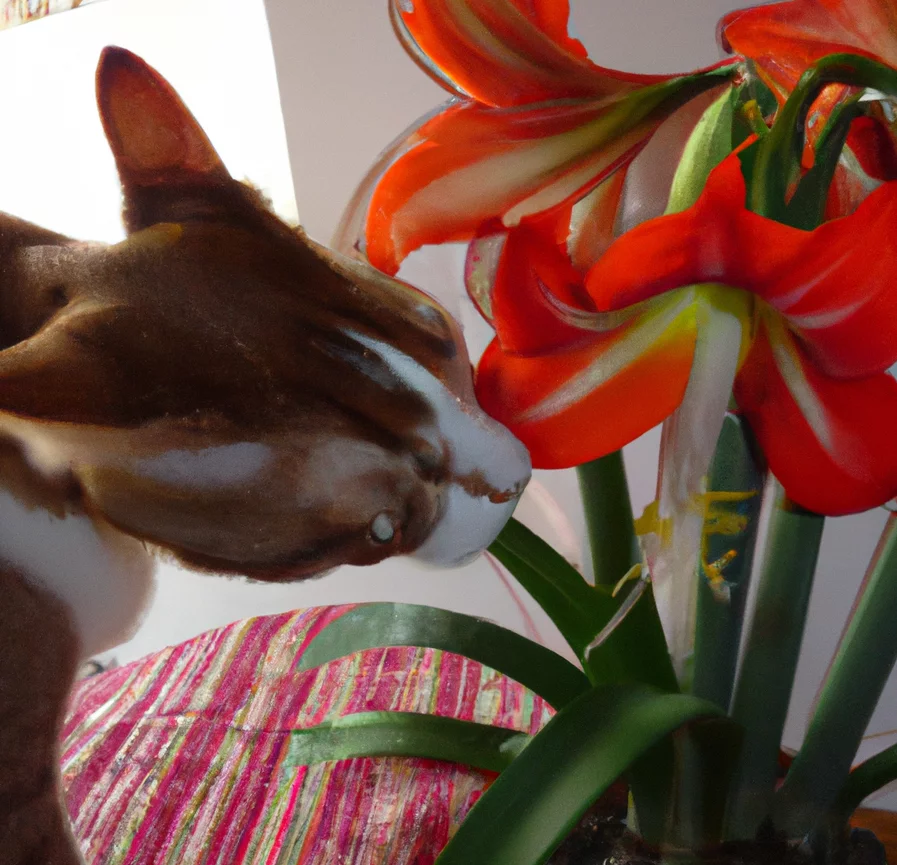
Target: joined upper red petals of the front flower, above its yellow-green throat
column 836, row 285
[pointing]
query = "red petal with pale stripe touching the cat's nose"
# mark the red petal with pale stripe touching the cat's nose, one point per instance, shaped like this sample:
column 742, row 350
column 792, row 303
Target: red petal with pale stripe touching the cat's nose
column 590, row 411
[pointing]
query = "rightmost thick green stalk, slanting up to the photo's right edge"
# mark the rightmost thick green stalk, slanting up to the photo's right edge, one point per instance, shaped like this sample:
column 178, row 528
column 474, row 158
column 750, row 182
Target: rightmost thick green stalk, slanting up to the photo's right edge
column 853, row 686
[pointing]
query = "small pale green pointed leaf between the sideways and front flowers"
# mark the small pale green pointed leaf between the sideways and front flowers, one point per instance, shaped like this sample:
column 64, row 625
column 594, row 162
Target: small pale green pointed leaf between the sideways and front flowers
column 709, row 144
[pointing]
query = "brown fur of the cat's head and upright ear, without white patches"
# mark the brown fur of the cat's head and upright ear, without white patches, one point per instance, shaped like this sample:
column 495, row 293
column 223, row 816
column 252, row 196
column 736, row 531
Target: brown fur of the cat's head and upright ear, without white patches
column 217, row 324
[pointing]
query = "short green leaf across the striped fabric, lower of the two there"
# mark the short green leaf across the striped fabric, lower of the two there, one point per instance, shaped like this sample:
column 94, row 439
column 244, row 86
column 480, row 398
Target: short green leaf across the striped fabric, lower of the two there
column 406, row 734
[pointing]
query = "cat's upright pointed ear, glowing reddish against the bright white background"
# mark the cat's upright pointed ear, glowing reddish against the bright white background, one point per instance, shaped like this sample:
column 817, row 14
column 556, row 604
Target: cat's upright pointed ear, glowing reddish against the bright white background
column 167, row 164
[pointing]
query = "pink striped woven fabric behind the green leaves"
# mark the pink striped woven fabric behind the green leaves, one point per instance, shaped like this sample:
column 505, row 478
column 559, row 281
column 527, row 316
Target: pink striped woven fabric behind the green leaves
column 183, row 757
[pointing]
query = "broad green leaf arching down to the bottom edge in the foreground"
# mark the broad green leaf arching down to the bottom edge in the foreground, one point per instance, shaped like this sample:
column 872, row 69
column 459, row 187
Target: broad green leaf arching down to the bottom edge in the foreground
column 533, row 805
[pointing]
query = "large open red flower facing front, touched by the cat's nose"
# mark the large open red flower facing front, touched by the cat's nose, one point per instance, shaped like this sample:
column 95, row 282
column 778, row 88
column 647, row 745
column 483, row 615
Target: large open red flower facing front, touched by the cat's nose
column 577, row 377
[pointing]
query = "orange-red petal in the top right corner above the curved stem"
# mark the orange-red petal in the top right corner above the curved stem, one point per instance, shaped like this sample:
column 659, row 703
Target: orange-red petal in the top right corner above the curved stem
column 784, row 39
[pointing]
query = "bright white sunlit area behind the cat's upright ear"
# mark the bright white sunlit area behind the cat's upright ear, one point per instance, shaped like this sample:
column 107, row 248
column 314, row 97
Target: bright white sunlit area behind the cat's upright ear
column 55, row 166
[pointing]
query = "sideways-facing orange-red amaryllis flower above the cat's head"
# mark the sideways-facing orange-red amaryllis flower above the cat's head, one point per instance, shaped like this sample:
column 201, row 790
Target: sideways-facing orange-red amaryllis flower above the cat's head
column 535, row 124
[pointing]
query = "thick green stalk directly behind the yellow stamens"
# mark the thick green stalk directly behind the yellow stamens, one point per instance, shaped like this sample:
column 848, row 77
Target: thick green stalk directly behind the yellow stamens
column 720, row 612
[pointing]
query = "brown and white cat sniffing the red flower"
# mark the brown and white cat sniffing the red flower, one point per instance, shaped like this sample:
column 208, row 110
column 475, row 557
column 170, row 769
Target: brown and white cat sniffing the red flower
column 218, row 386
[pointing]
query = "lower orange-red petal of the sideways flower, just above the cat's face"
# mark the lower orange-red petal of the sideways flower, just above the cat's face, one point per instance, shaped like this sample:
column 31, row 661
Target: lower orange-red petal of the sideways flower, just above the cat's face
column 474, row 166
